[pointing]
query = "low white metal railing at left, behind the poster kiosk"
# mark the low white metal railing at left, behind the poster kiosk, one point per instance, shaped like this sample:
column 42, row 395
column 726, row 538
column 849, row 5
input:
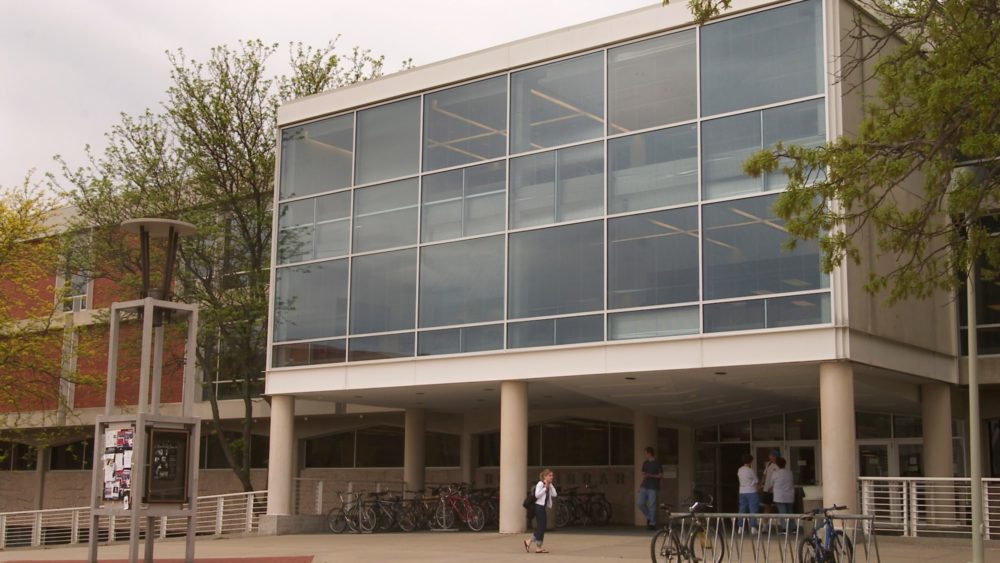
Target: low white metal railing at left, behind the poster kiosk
column 217, row 515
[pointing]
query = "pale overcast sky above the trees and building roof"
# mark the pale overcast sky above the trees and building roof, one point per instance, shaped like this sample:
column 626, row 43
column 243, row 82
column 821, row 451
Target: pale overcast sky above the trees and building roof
column 68, row 68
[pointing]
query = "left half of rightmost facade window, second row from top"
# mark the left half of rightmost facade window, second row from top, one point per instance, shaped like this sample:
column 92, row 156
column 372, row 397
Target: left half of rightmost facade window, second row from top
column 726, row 144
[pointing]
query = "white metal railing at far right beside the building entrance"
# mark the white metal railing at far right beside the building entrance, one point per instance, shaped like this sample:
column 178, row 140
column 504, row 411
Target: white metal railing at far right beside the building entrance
column 929, row 507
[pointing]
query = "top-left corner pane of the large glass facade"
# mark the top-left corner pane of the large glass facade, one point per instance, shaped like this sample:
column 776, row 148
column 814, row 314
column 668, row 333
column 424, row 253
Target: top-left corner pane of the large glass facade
column 317, row 157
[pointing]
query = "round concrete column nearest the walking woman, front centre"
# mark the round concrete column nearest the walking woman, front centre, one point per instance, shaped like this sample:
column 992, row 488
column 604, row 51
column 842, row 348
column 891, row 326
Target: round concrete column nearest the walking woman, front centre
column 513, row 455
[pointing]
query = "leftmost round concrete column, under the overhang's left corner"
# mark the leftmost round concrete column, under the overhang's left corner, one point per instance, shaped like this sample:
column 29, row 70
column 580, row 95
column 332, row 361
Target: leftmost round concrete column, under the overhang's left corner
column 281, row 457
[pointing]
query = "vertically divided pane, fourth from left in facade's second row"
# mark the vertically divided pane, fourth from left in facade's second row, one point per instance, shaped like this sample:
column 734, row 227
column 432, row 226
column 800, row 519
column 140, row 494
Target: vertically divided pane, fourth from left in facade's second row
column 557, row 186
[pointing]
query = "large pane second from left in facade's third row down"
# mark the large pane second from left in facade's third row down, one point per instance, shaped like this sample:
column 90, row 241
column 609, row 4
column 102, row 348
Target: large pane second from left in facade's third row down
column 383, row 291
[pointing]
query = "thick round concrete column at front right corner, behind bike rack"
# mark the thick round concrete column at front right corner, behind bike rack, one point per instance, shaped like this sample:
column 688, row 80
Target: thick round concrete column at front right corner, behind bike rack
column 836, row 399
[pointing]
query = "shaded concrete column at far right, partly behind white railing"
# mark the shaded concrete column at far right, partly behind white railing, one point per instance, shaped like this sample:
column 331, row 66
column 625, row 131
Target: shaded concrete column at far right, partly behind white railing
column 935, row 406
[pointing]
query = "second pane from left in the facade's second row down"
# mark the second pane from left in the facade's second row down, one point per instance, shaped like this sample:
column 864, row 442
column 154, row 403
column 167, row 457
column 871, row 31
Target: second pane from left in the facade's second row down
column 385, row 216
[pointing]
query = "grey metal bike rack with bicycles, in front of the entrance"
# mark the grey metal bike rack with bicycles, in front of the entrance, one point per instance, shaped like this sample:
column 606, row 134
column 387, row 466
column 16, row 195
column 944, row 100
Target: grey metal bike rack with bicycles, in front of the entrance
column 761, row 538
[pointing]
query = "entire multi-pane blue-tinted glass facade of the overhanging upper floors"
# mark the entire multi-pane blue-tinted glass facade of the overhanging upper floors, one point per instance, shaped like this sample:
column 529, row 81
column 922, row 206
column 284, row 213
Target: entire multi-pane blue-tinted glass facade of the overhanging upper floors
column 595, row 198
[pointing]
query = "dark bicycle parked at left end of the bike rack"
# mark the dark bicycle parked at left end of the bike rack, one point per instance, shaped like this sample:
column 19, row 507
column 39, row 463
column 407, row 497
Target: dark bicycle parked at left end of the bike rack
column 698, row 542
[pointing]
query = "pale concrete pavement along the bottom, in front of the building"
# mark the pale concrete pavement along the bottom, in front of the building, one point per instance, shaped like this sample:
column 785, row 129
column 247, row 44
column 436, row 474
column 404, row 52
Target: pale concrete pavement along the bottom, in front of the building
column 582, row 545
